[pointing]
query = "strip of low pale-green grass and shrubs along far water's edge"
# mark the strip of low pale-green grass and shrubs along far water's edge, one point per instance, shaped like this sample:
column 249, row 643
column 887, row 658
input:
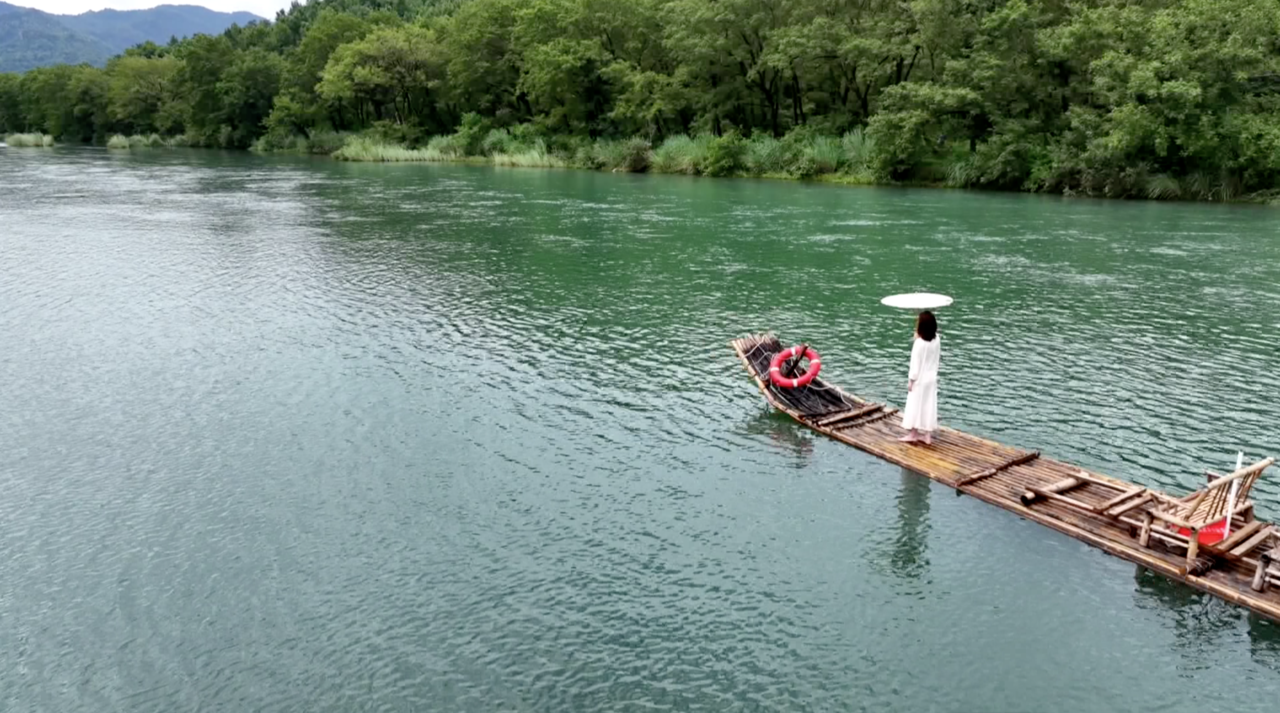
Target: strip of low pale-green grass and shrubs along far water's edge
column 801, row 156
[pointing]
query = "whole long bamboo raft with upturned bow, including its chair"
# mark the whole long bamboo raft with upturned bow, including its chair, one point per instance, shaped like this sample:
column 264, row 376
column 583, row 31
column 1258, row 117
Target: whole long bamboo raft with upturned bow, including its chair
column 1155, row 531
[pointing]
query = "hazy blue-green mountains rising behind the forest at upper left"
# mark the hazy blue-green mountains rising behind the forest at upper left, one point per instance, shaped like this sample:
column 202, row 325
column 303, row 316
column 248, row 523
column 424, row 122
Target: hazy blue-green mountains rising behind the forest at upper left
column 31, row 39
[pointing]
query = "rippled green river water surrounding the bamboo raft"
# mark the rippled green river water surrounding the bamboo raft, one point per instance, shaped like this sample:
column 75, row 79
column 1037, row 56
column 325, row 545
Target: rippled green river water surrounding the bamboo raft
column 300, row 436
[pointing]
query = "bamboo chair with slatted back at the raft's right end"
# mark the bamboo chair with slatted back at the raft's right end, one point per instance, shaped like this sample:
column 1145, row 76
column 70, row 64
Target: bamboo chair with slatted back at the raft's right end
column 1200, row 519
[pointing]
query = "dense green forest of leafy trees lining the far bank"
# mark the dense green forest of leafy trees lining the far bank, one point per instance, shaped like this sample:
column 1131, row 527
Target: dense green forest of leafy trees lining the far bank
column 1165, row 99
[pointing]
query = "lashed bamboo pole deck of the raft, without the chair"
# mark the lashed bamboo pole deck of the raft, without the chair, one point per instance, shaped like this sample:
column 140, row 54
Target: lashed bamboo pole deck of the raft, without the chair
column 1002, row 476
